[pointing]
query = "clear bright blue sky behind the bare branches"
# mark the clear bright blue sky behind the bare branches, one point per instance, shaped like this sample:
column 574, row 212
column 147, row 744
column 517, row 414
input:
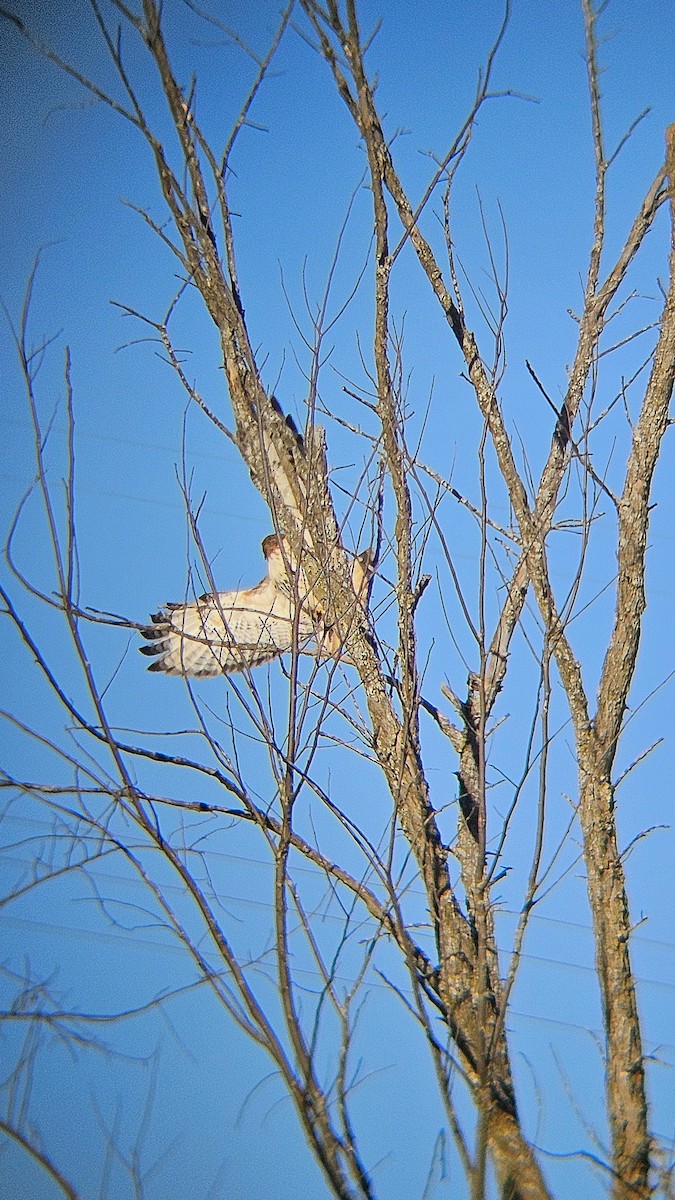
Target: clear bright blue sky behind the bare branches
column 69, row 170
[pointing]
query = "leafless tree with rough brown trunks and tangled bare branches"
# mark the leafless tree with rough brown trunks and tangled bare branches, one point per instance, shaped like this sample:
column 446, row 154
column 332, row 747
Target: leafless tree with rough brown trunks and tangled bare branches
column 363, row 691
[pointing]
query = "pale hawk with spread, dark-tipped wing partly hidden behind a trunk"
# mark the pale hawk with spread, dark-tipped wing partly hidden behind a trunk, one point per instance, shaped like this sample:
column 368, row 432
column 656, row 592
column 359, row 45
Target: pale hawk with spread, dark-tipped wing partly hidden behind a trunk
column 229, row 632
